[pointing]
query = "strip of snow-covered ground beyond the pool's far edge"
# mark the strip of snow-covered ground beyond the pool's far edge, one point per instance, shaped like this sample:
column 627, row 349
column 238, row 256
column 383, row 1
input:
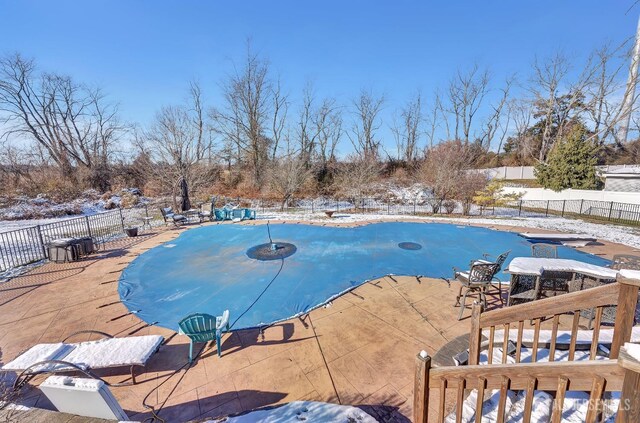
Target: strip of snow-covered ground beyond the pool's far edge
column 613, row 233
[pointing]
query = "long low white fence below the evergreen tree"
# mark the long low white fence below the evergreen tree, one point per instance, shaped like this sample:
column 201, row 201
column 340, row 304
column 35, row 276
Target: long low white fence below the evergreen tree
column 575, row 194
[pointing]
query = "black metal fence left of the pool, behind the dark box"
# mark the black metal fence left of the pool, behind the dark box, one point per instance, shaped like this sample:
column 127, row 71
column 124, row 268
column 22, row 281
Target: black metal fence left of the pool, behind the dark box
column 28, row 245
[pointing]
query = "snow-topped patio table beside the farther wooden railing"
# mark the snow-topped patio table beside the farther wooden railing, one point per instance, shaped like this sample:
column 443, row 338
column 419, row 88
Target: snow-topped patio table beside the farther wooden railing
column 530, row 276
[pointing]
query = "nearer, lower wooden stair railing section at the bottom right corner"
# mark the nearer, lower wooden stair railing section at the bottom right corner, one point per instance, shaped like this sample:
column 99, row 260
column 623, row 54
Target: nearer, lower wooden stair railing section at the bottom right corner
column 433, row 387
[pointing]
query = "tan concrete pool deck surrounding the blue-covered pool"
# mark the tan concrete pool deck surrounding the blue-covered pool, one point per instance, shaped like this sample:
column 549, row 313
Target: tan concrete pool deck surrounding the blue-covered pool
column 358, row 351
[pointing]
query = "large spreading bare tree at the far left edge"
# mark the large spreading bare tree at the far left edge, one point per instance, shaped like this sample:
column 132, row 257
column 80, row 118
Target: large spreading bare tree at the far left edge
column 71, row 123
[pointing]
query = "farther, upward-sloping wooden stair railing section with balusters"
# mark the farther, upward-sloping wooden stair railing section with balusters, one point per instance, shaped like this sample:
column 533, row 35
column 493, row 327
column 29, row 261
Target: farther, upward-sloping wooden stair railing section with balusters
column 623, row 293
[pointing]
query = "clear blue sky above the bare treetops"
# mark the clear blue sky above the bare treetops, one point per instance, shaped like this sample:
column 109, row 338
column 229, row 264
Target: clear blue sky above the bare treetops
column 144, row 52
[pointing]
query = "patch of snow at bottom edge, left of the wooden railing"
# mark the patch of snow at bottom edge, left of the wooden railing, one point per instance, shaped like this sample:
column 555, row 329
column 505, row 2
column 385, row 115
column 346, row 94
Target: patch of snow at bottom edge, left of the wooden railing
column 300, row 411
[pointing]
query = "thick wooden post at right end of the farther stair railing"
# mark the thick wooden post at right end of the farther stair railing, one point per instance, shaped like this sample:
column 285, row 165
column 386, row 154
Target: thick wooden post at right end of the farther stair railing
column 627, row 300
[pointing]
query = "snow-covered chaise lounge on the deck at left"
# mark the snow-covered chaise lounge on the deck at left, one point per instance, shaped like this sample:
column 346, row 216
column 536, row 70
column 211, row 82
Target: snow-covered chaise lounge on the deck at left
column 83, row 357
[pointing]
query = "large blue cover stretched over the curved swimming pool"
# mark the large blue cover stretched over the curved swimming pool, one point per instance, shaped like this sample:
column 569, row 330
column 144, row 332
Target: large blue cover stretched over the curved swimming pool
column 207, row 269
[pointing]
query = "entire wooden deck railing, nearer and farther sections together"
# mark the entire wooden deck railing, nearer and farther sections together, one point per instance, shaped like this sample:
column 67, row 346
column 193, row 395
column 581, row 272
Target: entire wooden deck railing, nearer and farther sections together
column 441, row 390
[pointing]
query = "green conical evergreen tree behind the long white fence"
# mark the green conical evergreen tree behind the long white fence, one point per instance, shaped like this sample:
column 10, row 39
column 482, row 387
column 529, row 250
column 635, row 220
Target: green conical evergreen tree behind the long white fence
column 571, row 163
